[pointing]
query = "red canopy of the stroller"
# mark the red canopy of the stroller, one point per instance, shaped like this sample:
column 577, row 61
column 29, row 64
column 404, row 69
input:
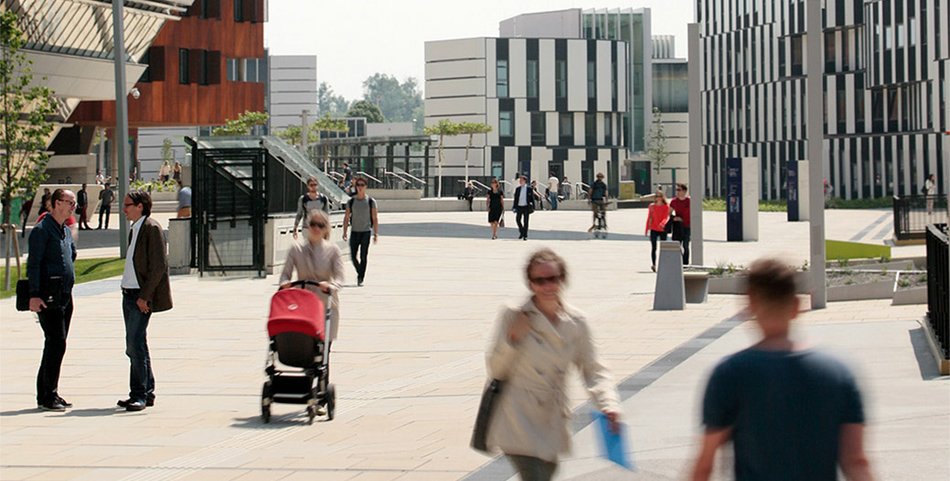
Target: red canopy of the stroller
column 296, row 310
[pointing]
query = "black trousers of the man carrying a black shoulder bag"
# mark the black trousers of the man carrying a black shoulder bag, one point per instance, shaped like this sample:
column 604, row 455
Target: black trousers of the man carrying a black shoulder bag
column 55, row 324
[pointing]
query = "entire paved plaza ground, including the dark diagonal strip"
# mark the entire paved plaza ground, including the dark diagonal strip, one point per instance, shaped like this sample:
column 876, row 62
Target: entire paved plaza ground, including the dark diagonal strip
column 409, row 363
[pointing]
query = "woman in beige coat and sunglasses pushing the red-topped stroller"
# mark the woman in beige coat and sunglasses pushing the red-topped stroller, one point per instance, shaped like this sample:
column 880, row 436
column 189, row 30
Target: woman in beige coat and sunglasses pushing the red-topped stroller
column 320, row 261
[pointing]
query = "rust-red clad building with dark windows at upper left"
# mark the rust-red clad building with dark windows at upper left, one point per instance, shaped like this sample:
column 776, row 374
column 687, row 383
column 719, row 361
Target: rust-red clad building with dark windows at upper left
column 206, row 68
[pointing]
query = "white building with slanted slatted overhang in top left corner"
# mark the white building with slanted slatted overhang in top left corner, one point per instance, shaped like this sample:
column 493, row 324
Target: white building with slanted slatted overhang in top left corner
column 69, row 43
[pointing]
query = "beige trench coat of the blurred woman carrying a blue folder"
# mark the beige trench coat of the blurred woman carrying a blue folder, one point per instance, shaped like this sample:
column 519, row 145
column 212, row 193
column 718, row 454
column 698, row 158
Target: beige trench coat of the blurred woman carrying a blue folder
column 532, row 413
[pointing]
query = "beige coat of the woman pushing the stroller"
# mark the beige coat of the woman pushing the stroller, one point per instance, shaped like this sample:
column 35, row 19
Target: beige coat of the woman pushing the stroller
column 318, row 262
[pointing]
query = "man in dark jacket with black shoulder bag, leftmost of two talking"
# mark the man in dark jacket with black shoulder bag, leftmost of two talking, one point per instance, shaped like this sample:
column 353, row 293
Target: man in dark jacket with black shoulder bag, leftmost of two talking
column 51, row 273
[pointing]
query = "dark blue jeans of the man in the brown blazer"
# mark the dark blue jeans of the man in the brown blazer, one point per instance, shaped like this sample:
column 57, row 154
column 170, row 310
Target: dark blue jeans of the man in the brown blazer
column 141, row 380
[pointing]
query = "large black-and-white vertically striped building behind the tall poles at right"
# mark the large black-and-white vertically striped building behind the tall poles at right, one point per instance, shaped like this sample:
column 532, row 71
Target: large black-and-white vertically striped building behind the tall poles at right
column 886, row 83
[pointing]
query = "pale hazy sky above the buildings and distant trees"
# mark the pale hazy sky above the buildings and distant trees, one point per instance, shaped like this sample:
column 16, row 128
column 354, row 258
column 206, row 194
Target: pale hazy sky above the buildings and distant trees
column 354, row 39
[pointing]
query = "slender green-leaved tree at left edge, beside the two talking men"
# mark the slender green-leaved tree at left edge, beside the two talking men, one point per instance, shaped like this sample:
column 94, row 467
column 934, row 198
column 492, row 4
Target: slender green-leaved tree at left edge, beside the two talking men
column 27, row 123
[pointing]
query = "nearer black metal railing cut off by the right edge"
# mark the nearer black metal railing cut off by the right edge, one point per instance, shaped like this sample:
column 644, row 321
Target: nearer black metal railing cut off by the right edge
column 938, row 285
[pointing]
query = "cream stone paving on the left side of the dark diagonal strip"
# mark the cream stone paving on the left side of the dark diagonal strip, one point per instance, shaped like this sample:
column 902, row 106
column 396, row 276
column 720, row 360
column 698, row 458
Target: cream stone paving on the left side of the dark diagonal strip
column 409, row 364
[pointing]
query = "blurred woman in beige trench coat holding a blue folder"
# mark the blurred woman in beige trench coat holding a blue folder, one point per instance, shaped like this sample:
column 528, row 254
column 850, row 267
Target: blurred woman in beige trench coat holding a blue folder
column 531, row 351
